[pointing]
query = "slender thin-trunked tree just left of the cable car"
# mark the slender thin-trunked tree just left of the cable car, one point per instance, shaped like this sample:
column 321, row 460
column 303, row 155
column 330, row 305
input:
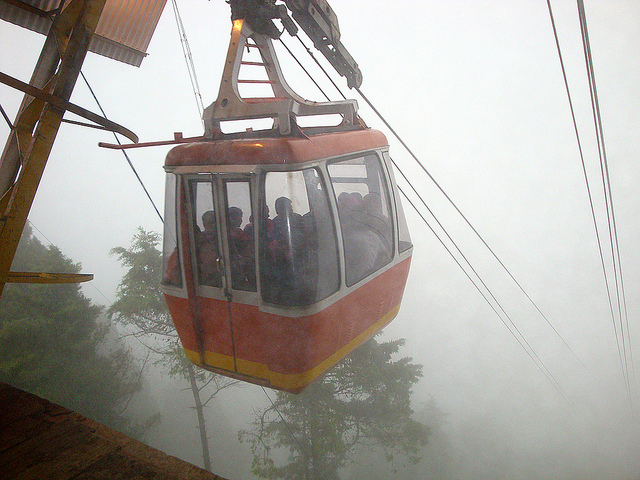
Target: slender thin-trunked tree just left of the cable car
column 140, row 307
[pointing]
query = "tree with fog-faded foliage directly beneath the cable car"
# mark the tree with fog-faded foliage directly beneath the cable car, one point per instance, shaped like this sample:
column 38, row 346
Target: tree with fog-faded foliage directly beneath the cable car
column 365, row 401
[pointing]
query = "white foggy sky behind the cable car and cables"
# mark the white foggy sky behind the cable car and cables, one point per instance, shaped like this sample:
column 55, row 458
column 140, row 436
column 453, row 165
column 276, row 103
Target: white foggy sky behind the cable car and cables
column 476, row 90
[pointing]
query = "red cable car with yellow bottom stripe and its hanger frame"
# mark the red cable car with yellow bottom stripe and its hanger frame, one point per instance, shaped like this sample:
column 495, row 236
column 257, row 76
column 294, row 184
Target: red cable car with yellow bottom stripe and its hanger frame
column 284, row 249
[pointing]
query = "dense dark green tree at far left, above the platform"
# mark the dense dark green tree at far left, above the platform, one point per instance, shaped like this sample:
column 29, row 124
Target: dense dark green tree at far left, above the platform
column 55, row 344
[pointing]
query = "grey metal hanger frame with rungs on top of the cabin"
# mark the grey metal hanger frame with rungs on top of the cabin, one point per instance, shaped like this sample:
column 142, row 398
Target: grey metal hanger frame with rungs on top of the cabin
column 283, row 107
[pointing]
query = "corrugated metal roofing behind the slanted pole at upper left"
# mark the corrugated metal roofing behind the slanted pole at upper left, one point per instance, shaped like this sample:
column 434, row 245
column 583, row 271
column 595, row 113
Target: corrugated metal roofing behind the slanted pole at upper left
column 123, row 32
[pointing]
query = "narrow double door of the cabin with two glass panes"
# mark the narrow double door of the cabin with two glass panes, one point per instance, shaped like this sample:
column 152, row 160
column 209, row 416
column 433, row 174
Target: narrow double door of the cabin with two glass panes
column 224, row 260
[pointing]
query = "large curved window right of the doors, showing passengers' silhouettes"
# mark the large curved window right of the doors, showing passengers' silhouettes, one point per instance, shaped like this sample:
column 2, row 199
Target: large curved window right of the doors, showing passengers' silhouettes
column 299, row 256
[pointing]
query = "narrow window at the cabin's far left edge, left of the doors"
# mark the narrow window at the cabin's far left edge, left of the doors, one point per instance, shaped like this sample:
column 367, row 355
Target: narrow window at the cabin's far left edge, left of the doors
column 172, row 274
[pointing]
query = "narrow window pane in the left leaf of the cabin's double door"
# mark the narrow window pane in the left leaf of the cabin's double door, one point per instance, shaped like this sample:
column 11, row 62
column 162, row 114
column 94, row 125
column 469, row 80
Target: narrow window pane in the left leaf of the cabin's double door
column 205, row 231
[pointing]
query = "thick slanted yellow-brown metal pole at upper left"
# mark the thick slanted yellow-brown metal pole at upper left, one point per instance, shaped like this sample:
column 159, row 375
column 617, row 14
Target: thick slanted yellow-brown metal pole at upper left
column 25, row 157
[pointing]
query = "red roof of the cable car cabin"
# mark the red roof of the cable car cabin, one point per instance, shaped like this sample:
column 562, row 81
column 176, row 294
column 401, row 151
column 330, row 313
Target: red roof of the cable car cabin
column 274, row 151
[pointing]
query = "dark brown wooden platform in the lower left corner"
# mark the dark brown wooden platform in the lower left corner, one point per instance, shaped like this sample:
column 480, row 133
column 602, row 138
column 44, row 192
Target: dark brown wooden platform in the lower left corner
column 41, row 440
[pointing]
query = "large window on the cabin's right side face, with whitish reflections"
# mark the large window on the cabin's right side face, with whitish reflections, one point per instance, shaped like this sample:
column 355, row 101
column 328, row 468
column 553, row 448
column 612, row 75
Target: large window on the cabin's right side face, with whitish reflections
column 365, row 219
